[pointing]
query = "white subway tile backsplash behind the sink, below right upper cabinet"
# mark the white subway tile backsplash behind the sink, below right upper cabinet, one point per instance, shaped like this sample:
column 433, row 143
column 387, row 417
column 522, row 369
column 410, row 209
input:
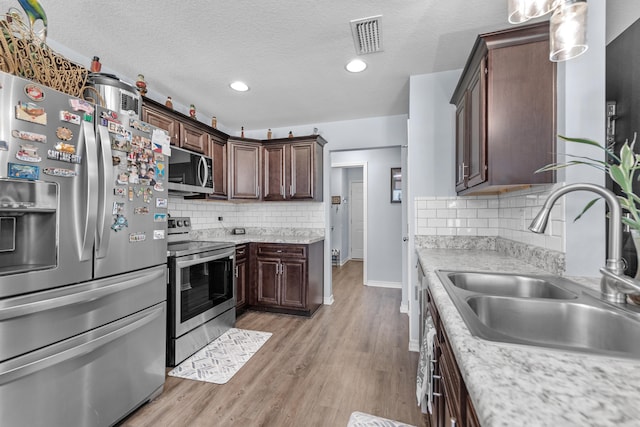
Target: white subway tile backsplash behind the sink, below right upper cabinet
column 506, row 215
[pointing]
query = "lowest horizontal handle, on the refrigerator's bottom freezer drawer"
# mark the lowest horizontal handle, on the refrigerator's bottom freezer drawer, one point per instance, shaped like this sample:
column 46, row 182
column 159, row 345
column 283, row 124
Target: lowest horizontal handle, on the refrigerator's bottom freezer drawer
column 56, row 357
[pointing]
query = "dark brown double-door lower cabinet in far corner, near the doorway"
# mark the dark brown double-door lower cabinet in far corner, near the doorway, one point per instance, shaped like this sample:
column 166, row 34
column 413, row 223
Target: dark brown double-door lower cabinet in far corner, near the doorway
column 287, row 278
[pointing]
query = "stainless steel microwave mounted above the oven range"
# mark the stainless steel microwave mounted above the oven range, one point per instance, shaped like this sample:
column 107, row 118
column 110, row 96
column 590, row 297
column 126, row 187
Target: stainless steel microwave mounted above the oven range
column 190, row 172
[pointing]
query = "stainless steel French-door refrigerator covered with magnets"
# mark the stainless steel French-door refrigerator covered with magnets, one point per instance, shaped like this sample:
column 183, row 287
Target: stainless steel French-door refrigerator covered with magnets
column 83, row 211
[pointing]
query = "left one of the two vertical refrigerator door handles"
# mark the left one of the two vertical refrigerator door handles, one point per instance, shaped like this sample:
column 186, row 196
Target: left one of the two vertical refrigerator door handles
column 90, row 207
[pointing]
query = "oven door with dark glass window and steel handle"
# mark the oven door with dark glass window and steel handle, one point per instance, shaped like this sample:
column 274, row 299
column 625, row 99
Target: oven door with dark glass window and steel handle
column 204, row 288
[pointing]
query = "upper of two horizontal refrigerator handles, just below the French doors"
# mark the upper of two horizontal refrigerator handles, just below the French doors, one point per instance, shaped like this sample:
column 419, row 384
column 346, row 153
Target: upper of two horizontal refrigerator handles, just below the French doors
column 77, row 297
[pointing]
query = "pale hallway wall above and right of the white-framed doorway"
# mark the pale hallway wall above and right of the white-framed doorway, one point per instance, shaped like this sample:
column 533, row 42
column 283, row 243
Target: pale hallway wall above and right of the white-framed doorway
column 384, row 219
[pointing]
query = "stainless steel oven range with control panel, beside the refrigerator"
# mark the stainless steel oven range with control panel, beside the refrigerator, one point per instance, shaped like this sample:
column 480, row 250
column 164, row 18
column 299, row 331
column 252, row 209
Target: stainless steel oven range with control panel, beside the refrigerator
column 201, row 291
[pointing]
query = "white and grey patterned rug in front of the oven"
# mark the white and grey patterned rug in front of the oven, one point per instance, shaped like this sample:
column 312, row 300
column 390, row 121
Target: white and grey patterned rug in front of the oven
column 223, row 357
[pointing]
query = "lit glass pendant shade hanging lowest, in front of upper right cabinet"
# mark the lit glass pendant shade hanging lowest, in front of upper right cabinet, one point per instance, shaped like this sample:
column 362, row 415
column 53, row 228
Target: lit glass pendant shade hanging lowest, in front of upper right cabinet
column 568, row 30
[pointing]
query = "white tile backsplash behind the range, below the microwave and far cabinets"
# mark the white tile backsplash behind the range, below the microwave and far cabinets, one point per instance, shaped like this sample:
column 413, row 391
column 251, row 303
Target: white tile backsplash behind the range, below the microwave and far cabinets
column 204, row 214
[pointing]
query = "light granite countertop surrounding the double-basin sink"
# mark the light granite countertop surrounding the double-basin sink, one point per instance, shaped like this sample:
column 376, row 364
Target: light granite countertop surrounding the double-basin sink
column 517, row 385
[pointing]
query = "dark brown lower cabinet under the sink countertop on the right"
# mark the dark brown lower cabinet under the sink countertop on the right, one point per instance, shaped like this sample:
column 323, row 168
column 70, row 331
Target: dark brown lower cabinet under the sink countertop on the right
column 452, row 406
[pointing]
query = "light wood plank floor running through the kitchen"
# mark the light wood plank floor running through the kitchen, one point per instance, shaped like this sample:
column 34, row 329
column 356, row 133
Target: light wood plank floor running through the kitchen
column 350, row 356
